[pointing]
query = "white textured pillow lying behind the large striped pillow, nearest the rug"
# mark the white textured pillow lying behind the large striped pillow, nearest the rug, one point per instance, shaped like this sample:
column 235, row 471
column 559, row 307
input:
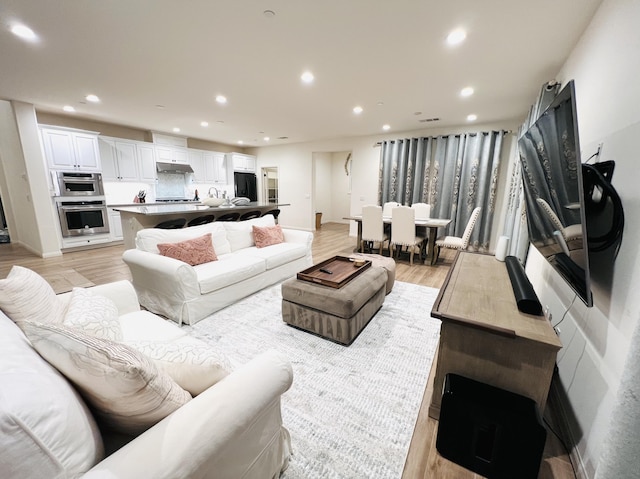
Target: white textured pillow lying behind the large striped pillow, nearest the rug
column 192, row 364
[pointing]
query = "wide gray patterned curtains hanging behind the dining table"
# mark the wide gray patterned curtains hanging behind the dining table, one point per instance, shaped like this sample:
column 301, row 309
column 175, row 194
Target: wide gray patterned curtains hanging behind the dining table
column 453, row 173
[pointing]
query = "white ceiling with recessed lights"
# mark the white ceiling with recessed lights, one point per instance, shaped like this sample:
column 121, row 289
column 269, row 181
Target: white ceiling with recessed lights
column 159, row 64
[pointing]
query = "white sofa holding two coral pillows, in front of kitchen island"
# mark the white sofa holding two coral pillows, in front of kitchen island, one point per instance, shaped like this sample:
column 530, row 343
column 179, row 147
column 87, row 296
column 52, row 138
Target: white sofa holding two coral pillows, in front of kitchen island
column 188, row 294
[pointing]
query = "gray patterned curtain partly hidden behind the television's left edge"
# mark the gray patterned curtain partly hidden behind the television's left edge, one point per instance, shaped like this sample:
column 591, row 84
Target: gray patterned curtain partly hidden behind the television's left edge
column 515, row 225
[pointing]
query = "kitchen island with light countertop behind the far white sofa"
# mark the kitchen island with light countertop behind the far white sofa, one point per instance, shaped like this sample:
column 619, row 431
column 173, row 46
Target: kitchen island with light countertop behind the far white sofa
column 135, row 218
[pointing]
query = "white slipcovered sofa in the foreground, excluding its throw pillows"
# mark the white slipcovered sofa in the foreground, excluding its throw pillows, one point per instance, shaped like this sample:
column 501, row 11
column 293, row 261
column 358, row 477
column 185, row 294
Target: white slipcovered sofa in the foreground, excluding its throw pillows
column 233, row 429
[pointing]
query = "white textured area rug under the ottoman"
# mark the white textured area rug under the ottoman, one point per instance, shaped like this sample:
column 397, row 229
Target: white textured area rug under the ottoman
column 351, row 411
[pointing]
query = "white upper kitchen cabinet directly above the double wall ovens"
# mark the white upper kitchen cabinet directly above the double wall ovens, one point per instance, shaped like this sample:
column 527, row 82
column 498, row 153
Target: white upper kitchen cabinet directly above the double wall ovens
column 70, row 149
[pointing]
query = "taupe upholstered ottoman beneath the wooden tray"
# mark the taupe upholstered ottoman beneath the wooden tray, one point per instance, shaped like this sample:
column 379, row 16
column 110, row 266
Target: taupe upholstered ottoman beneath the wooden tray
column 335, row 314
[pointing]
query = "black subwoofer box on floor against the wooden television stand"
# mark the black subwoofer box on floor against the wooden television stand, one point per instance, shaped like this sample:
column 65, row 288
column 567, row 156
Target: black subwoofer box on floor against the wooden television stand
column 495, row 433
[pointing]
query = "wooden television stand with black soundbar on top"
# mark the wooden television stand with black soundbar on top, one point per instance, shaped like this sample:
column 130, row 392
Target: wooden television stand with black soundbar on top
column 486, row 338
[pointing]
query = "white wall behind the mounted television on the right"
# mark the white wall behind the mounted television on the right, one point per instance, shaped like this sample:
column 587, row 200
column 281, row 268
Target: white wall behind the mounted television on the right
column 605, row 67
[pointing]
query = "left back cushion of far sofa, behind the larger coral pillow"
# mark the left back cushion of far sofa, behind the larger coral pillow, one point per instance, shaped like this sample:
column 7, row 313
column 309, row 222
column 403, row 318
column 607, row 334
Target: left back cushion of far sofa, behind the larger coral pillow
column 148, row 239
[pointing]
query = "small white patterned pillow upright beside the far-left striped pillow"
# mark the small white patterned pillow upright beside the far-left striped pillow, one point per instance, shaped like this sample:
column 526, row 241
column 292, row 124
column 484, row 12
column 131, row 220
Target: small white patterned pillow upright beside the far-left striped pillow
column 94, row 314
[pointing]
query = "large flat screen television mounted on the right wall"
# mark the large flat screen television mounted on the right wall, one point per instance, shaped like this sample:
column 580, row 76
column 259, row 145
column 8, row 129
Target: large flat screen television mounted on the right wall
column 553, row 192
